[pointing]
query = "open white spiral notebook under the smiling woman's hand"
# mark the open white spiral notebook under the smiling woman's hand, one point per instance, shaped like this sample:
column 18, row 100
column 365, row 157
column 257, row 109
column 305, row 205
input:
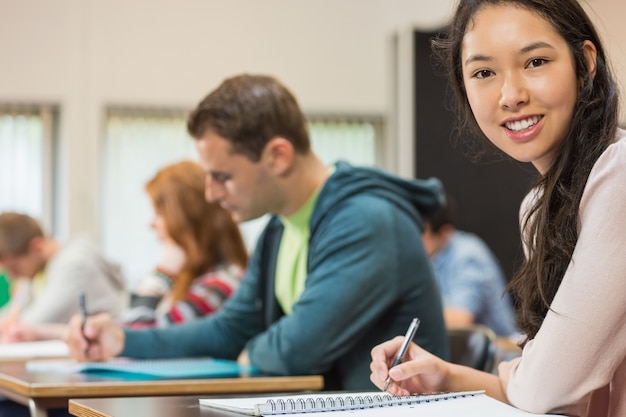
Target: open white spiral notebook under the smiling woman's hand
column 466, row 404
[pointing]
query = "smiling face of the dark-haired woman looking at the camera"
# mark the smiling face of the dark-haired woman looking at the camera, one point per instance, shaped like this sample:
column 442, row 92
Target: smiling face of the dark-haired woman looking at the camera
column 521, row 82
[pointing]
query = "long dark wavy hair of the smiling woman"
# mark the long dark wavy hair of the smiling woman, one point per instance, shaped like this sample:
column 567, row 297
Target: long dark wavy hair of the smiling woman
column 551, row 227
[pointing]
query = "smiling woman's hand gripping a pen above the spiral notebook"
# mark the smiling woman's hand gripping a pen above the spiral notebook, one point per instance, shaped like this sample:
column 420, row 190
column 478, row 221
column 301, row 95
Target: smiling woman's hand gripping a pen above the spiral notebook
column 421, row 372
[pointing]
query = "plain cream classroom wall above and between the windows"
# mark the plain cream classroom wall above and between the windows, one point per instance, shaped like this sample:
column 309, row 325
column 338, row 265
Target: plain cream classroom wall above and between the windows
column 86, row 54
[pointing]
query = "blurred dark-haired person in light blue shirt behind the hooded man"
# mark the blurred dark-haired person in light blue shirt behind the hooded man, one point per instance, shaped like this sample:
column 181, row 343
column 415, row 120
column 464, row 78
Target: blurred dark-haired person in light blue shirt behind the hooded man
column 469, row 275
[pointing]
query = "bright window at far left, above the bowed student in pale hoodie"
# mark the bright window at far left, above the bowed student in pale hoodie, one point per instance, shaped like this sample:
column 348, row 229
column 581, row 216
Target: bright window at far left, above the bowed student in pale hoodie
column 26, row 160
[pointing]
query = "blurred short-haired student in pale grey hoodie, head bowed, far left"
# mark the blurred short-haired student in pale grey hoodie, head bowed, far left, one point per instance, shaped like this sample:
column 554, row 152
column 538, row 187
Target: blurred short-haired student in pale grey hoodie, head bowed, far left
column 56, row 273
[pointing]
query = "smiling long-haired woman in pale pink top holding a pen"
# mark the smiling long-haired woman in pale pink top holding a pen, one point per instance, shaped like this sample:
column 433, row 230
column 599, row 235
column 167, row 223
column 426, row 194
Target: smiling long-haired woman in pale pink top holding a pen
column 533, row 77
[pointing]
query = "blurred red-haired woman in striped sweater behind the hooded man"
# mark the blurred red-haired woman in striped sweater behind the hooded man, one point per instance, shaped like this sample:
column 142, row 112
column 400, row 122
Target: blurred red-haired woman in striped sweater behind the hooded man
column 203, row 255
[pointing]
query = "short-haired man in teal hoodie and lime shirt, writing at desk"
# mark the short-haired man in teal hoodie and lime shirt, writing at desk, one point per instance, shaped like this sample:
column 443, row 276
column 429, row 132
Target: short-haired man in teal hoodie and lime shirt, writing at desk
column 339, row 268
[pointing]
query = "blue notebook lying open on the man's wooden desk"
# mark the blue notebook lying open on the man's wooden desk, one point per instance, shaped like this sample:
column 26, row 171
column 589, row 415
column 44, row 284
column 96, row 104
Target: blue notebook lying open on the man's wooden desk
column 151, row 368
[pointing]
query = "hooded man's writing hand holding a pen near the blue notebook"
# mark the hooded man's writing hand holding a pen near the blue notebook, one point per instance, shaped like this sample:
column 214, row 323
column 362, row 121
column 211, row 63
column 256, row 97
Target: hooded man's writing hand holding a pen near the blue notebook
column 98, row 338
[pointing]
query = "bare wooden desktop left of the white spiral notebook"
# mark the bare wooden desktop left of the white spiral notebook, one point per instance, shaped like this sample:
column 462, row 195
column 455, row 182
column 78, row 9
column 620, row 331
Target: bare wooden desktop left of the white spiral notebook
column 183, row 406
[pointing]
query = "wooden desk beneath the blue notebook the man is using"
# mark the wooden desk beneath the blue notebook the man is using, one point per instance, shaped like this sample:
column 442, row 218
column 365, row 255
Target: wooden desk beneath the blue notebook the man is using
column 41, row 390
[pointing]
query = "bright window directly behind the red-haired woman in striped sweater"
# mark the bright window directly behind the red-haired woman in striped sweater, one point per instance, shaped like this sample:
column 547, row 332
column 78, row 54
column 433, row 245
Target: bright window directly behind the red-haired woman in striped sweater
column 138, row 143
